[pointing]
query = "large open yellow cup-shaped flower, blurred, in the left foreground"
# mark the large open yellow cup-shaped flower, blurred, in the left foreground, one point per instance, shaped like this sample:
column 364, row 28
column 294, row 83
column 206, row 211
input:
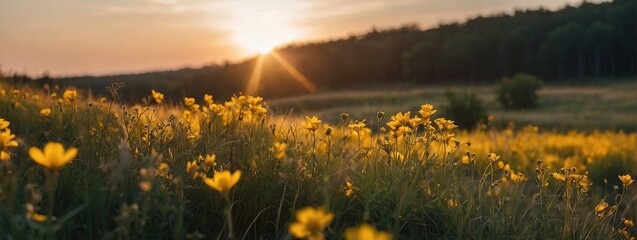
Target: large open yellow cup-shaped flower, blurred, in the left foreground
column 54, row 156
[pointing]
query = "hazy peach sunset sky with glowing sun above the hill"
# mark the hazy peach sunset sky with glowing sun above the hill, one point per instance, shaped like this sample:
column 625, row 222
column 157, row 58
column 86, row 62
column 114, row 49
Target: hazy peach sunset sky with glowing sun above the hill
column 72, row 37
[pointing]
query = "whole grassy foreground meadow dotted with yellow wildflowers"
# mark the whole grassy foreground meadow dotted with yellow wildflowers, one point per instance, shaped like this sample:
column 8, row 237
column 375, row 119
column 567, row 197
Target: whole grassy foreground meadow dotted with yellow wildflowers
column 201, row 169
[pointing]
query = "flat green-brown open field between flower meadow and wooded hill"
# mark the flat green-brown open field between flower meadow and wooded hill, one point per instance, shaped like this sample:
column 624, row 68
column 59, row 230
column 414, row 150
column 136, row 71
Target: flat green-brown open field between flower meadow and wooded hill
column 602, row 106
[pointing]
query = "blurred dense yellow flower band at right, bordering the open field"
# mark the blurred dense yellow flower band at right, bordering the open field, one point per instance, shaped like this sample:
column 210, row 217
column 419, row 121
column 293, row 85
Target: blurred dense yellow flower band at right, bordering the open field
column 572, row 149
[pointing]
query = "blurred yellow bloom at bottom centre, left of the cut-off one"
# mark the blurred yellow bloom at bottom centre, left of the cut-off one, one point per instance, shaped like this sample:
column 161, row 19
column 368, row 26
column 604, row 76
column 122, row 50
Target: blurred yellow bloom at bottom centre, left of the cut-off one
column 310, row 223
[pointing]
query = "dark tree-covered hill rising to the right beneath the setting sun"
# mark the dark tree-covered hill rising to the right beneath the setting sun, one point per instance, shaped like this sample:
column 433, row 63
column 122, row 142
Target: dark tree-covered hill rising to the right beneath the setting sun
column 588, row 41
